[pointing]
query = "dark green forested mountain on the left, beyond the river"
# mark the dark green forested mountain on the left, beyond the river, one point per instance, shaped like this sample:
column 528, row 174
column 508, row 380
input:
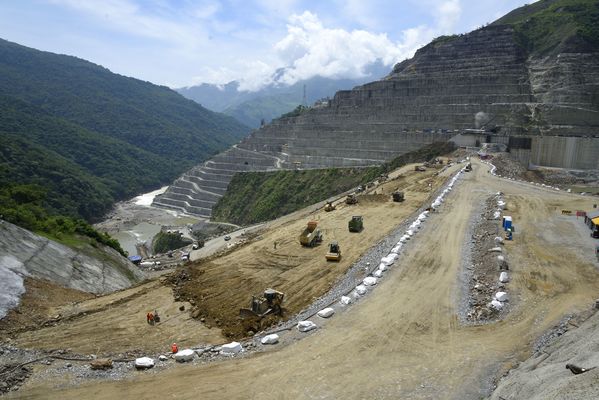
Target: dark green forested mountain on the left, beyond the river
column 75, row 137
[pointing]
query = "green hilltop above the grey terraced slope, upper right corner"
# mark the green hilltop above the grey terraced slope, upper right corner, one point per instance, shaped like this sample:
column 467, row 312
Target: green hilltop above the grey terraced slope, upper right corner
column 550, row 26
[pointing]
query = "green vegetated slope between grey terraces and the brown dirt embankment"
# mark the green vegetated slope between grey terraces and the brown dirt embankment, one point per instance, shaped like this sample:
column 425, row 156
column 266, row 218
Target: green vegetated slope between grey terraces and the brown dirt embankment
column 260, row 196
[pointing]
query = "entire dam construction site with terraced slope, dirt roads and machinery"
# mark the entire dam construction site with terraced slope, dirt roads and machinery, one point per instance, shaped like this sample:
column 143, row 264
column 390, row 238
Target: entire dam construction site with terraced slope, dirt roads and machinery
column 433, row 234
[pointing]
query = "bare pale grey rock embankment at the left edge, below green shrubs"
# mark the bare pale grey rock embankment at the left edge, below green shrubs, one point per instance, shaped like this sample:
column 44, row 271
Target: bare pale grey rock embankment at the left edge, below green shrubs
column 24, row 254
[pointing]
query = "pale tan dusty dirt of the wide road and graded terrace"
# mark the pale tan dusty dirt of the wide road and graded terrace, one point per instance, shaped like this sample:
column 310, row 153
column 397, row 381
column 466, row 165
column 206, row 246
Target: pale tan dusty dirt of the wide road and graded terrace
column 404, row 339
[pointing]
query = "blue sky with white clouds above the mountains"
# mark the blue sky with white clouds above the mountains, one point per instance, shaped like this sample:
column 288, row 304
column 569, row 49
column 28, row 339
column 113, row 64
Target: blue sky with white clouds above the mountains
column 185, row 42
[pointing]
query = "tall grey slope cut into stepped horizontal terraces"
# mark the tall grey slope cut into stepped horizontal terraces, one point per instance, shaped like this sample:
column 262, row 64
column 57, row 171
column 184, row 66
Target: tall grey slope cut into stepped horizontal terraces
column 441, row 90
